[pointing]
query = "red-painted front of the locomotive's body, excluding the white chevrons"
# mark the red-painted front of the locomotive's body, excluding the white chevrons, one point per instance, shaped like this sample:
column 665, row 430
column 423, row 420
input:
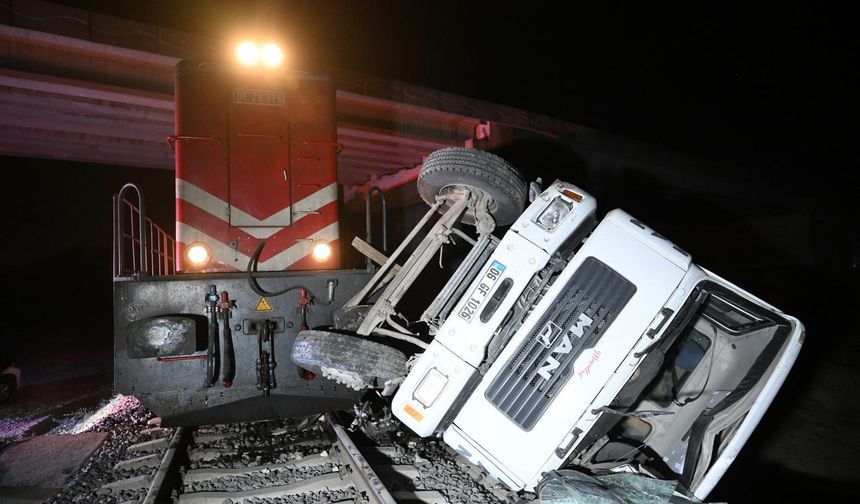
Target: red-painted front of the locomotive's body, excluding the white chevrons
column 258, row 142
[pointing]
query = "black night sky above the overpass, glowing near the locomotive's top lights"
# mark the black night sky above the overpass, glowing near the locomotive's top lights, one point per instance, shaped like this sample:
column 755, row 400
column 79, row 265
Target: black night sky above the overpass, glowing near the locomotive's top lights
column 766, row 87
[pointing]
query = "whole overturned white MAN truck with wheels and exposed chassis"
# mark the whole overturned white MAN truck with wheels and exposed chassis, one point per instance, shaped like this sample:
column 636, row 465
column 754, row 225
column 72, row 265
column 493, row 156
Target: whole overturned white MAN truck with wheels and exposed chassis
column 565, row 342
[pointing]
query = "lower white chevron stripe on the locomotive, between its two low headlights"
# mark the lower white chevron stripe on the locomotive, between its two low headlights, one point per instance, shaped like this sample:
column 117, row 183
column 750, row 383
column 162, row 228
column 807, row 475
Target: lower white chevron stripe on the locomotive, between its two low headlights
column 238, row 260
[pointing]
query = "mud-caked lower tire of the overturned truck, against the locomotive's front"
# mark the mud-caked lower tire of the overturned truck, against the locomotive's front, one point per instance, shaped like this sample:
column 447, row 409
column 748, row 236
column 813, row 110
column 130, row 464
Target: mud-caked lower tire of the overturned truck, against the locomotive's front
column 355, row 362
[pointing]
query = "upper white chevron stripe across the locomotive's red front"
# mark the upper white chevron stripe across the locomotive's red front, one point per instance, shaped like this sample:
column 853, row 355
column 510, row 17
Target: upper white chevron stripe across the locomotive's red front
column 214, row 205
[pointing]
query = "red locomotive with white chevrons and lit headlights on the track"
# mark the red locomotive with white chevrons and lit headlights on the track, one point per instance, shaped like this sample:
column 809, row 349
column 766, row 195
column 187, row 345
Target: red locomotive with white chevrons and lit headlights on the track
column 203, row 325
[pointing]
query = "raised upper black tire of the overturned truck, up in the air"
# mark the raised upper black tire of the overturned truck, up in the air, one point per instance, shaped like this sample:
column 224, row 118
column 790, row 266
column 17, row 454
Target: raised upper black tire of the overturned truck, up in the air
column 475, row 169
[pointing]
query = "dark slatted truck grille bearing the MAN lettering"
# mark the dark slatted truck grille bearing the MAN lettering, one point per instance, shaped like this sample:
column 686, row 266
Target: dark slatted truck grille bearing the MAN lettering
column 543, row 363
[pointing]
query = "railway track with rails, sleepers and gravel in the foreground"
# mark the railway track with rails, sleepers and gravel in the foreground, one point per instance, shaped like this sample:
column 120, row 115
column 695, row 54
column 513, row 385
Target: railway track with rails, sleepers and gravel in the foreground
column 294, row 461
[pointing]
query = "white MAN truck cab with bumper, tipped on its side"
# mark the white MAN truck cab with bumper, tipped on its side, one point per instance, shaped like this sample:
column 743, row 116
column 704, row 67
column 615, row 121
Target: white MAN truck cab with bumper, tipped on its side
column 631, row 356
